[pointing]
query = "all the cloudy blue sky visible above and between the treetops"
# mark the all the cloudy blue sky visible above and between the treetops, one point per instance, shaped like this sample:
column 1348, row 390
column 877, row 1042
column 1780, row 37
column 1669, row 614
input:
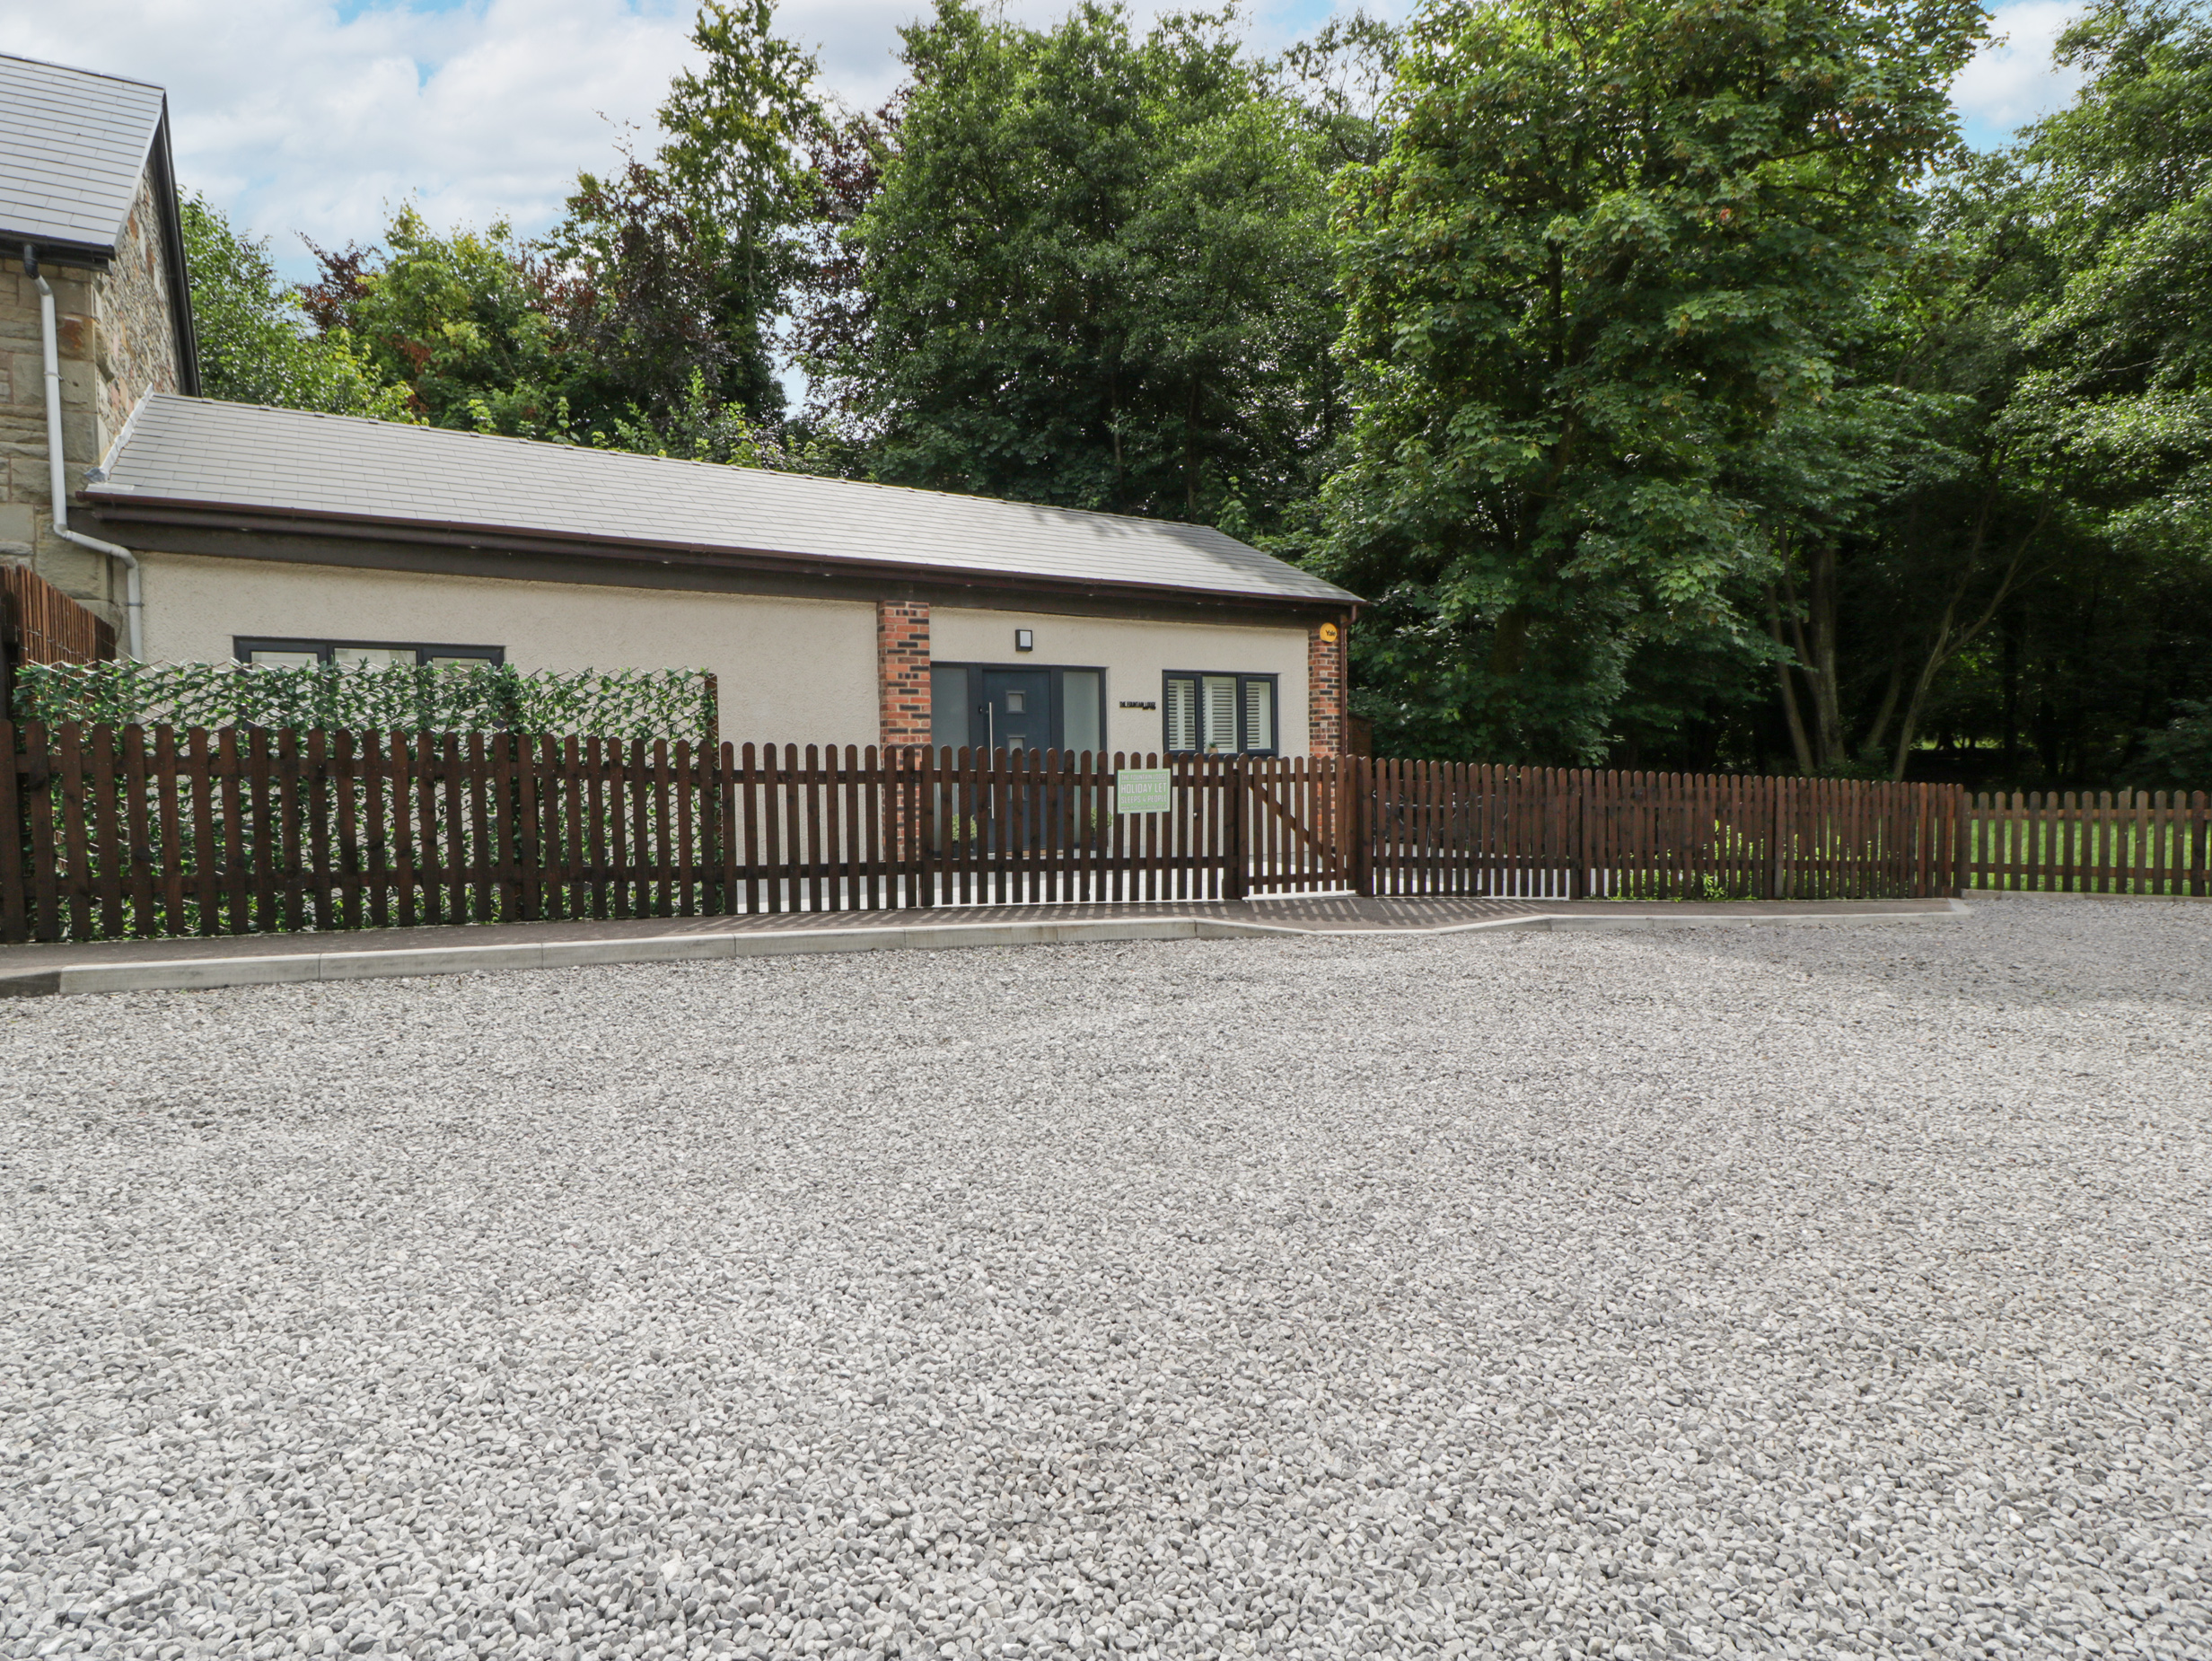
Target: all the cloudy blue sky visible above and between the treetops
column 311, row 118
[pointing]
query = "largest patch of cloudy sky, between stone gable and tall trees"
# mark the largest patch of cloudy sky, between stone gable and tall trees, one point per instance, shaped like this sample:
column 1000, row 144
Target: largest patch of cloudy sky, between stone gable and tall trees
column 300, row 121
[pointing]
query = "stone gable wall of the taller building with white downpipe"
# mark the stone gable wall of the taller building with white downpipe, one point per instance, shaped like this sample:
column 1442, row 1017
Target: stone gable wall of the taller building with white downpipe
column 118, row 342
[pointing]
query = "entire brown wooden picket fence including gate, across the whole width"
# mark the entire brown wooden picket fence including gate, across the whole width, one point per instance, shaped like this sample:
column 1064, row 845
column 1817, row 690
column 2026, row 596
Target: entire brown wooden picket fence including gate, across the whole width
column 242, row 830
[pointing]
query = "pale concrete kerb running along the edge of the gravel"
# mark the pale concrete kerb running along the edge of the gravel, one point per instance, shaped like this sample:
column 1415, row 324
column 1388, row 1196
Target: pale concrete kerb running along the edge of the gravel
column 205, row 974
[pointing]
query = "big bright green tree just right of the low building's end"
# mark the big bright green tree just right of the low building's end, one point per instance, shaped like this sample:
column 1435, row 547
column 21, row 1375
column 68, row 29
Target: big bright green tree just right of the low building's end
column 1609, row 255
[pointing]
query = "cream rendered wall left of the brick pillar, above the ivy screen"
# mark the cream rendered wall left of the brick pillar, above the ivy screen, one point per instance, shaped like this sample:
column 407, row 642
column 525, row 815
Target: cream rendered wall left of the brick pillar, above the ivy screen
column 789, row 671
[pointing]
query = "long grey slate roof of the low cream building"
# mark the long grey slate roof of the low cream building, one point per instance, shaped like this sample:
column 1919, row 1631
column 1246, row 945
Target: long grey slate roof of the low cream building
column 284, row 463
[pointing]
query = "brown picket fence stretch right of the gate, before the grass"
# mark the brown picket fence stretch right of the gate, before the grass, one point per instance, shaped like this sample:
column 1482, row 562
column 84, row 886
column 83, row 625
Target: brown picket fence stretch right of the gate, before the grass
column 1583, row 835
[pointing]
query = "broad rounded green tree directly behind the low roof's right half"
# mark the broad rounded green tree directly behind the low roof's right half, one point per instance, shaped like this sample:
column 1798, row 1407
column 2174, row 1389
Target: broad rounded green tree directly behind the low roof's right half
column 1087, row 271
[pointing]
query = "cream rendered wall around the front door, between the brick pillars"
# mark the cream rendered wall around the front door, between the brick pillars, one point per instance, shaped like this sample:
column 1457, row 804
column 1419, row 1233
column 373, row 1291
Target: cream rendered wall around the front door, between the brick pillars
column 1134, row 656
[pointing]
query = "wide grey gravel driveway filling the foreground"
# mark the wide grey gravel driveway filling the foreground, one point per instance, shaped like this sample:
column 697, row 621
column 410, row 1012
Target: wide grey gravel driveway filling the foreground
column 1786, row 1293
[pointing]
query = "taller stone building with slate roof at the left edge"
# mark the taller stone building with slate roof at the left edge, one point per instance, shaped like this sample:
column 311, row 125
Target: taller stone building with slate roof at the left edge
column 90, row 191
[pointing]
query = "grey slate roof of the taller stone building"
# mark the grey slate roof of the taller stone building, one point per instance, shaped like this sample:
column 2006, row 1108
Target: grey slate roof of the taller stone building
column 72, row 154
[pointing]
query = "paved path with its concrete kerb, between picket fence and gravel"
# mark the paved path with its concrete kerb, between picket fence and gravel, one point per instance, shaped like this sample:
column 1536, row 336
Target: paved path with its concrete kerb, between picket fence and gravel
column 368, row 954
